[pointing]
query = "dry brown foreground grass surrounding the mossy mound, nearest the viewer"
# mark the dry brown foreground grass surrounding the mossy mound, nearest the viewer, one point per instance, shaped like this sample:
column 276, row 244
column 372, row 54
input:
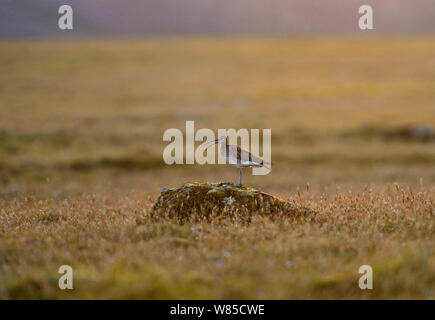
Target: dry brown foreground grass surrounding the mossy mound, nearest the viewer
column 118, row 251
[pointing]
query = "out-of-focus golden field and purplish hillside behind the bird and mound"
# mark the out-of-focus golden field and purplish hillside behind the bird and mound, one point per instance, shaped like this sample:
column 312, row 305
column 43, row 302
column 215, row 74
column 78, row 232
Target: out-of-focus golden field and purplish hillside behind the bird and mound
column 84, row 110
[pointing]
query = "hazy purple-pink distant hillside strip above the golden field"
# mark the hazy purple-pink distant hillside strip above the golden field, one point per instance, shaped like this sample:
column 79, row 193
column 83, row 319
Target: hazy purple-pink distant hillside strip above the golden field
column 136, row 17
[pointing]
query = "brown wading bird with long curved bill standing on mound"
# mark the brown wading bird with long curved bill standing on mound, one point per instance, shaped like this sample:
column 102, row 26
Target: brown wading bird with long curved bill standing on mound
column 237, row 156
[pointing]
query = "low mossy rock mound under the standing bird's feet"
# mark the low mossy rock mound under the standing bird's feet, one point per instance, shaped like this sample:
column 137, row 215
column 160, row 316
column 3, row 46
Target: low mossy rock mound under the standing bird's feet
column 213, row 202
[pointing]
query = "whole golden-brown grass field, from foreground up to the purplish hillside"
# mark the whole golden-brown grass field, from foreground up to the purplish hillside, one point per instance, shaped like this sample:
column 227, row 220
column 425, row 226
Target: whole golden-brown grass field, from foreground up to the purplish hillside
column 81, row 126
